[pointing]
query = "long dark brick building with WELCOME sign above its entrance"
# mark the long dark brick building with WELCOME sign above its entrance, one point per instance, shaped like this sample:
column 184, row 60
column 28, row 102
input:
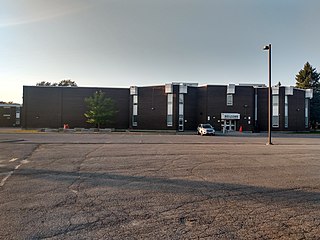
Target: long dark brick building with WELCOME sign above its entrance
column 175, row 106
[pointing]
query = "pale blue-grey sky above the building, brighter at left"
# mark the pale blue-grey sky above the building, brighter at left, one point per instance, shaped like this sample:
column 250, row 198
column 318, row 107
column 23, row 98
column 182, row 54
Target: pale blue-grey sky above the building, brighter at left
column 119, row 43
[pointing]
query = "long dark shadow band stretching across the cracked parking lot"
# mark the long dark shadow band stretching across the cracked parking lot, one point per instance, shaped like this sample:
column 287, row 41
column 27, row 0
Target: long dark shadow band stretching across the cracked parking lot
column 211, row 190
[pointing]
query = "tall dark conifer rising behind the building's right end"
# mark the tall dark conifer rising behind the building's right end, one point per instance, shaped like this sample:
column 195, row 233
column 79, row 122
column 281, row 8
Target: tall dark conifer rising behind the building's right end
column 308, row 78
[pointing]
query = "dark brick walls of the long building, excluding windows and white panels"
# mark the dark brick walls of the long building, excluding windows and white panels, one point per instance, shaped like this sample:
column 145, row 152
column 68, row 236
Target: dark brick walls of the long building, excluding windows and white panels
column 51, row 107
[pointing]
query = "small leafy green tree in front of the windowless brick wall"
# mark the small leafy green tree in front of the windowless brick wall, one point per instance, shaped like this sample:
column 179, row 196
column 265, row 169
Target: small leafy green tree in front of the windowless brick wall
column 101, row 110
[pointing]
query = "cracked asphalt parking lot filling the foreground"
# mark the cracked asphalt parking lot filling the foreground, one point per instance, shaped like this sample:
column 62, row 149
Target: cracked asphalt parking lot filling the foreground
column 158, row 186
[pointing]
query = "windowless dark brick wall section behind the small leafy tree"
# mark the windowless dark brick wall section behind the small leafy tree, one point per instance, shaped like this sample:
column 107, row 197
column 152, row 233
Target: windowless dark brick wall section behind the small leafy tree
column 51, row 107
